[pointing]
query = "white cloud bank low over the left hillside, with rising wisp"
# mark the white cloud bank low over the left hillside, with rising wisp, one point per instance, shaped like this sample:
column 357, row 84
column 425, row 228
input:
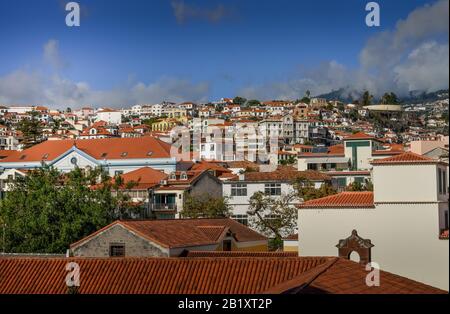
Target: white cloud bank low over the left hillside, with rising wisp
column 33, row 87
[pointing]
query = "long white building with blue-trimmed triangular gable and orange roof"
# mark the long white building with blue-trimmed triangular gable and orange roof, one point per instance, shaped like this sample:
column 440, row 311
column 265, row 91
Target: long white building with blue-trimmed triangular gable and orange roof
column 115, row 155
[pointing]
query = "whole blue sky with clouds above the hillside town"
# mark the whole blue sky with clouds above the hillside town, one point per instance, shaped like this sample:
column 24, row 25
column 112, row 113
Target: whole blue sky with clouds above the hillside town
column 147, row 51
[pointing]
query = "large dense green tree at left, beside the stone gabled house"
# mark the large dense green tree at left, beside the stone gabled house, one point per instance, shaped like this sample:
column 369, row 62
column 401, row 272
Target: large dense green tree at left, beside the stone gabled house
column 46, row 211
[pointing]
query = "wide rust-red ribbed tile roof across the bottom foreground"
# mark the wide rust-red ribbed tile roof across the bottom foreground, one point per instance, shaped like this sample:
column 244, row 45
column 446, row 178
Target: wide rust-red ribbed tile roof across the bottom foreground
column 233, row 275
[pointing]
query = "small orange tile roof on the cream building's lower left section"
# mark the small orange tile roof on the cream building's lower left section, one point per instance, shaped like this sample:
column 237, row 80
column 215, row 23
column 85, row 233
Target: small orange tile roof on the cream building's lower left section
column 342, row 200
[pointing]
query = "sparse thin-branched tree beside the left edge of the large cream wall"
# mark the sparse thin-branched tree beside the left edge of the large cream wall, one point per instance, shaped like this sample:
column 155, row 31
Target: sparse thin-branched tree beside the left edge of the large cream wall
column 276, row 217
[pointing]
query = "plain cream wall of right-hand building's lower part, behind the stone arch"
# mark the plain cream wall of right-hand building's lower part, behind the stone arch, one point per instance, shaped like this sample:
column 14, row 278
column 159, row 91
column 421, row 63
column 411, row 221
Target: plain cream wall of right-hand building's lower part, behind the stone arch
column 406, row 238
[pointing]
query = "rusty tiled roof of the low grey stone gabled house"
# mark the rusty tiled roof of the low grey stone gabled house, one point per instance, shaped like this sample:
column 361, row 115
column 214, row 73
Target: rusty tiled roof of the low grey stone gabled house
column 175, row 233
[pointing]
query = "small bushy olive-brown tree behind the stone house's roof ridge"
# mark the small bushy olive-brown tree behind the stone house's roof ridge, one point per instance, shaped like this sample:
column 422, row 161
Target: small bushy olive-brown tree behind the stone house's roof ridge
column 205, row 206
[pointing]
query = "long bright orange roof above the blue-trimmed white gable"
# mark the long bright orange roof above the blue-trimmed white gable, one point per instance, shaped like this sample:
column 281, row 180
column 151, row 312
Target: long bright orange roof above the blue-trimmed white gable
column 108, row 148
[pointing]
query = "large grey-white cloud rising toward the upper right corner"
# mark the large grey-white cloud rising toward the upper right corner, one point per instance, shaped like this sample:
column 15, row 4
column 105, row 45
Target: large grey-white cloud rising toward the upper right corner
column 407, row 58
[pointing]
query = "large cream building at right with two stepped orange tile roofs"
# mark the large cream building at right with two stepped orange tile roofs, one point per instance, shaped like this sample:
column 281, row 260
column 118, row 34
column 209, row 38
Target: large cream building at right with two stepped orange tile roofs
column 402, row 225
